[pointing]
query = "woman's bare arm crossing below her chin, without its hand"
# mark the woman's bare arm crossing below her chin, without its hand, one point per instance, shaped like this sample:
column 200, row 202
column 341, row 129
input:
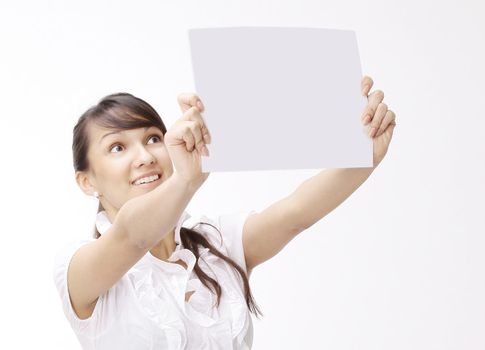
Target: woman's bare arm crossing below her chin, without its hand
column 98, row 265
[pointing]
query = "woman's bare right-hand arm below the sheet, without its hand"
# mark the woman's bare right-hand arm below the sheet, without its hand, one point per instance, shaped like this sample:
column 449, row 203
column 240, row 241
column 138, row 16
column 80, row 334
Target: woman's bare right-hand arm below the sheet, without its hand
column 267, row 232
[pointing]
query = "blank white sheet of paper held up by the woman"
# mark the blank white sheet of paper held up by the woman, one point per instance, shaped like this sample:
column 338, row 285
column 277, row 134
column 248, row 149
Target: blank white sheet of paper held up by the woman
column 280, row 98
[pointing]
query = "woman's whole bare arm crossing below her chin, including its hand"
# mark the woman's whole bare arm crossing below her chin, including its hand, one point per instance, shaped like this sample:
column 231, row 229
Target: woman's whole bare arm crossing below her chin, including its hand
column 139, row 224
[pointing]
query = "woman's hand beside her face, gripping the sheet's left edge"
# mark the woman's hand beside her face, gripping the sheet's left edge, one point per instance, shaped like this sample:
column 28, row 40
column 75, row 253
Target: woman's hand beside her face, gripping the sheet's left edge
column 186, row 140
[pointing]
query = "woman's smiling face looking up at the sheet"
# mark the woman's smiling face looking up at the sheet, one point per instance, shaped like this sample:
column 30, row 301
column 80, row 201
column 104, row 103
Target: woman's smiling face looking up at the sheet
column 119, row 157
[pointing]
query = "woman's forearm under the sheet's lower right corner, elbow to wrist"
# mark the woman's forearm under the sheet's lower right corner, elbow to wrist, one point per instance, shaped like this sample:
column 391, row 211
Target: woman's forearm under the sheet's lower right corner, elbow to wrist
column 320, row 194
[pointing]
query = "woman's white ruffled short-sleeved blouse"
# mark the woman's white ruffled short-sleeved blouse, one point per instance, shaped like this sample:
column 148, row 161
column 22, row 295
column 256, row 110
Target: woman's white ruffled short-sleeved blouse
column 146, row 308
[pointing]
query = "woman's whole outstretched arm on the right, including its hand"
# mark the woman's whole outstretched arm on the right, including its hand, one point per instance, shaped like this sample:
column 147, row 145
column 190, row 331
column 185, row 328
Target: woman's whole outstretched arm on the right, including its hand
column 267, row 232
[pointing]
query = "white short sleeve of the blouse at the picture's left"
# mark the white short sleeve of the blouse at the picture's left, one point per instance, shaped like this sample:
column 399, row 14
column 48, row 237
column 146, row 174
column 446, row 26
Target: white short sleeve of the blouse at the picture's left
column 61, row 265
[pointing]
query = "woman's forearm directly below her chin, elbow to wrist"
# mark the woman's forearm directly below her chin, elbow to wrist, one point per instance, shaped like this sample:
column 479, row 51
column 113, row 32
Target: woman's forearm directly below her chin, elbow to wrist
column 149, row 217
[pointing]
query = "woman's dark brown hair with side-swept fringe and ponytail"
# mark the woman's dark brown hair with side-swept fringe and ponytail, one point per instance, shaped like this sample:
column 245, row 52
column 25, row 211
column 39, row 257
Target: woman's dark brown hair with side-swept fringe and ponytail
column 124, row 111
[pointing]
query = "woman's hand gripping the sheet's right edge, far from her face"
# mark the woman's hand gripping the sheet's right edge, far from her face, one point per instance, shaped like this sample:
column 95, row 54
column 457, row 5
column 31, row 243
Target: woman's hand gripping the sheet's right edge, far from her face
column 378, row 119
